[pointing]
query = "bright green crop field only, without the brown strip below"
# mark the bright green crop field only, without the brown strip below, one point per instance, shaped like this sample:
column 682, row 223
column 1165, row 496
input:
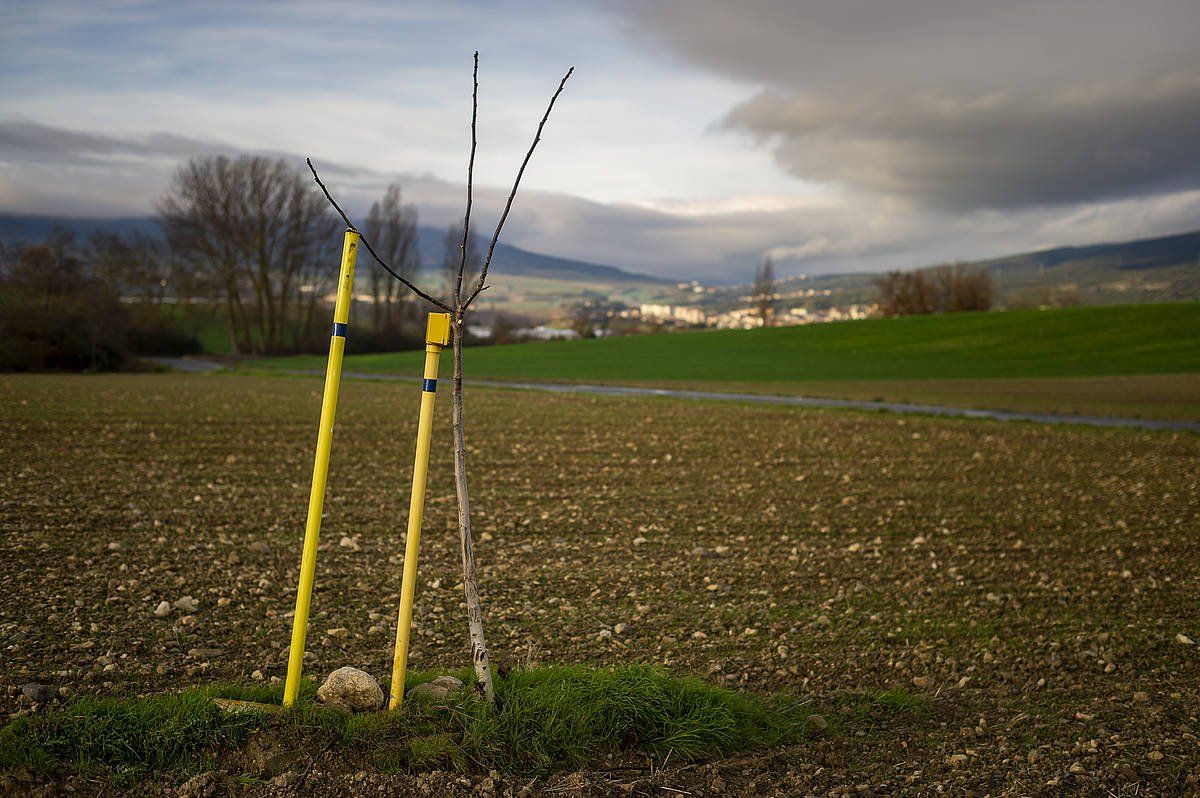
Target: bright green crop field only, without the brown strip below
column 1063, row 343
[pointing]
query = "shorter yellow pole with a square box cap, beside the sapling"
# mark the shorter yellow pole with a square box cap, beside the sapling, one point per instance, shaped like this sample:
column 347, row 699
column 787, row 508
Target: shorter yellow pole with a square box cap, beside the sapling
column 437, row 335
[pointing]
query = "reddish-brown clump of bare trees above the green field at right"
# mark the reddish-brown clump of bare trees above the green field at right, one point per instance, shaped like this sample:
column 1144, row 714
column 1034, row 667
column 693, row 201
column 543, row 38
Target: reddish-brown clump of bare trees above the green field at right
column 938, row 290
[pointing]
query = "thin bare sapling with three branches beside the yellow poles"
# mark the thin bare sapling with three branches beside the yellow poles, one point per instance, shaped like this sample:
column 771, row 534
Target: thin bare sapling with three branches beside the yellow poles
column 458, row 304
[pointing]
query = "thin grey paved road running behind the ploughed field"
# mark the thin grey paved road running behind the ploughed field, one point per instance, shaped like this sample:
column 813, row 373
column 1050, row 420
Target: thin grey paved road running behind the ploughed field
column 763, row 399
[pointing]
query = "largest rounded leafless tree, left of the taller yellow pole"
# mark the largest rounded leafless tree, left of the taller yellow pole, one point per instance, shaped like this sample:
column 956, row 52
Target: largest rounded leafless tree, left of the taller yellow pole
column 261, row 238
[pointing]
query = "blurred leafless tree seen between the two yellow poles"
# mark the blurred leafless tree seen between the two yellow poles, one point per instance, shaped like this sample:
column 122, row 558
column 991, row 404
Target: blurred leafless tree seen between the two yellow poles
column 392, row 225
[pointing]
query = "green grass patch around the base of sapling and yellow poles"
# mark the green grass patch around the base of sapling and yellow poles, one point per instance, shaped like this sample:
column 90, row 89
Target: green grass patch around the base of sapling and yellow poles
column 547, row 719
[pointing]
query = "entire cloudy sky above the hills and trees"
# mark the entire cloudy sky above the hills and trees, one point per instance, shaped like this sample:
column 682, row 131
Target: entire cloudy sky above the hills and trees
column 694, row 139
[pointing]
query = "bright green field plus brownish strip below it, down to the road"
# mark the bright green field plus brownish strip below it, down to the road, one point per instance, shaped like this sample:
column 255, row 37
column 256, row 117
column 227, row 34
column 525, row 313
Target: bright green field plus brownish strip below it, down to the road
column 1136, row 361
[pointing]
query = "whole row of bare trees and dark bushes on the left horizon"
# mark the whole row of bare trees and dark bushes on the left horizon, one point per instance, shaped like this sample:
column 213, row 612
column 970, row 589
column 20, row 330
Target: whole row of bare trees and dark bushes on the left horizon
column 245, row 242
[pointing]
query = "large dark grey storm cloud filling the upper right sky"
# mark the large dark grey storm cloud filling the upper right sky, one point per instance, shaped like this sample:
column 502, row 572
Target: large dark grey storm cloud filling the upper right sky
column 959, row 106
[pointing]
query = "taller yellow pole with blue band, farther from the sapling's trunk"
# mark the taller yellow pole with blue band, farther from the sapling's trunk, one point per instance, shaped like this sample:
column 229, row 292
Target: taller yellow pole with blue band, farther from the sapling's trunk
column 321, row 467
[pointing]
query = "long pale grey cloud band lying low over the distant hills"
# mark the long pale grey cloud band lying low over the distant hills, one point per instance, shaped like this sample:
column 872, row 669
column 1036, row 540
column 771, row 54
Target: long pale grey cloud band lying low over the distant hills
column 53, row 171
